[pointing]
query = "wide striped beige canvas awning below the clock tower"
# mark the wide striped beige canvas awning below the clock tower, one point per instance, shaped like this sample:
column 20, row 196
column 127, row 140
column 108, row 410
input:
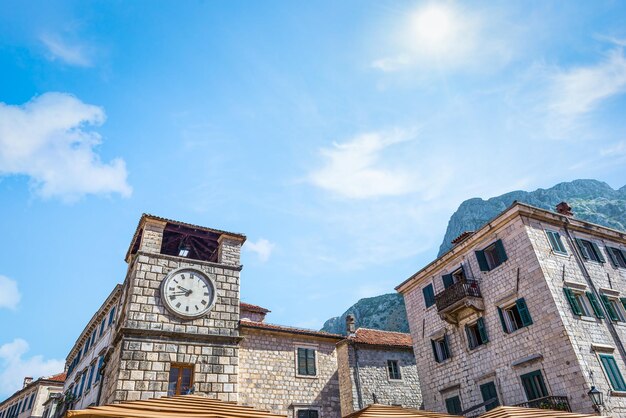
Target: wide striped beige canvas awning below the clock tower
column 174, row 407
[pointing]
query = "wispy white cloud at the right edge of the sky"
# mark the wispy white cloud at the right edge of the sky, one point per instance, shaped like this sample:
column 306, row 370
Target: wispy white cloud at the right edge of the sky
column 580, row 90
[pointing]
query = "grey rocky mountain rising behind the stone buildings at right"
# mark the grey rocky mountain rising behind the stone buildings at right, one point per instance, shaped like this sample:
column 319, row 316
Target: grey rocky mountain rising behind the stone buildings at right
column 591, row 200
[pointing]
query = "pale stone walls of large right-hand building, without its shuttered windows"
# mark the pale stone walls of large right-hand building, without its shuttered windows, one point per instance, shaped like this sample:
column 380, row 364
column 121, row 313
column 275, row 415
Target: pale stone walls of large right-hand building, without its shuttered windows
column 562, row 346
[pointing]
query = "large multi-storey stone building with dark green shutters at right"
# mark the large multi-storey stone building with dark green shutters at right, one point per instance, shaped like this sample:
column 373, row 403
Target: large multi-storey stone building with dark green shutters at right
column 529, row 309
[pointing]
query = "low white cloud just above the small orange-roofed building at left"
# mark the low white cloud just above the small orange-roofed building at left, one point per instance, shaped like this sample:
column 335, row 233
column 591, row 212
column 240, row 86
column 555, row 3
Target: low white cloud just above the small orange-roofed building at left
column 14, row 366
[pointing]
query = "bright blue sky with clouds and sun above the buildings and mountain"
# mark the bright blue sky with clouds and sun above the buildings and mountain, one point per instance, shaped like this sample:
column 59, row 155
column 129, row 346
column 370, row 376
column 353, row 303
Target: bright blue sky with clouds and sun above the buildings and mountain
column 338, row 136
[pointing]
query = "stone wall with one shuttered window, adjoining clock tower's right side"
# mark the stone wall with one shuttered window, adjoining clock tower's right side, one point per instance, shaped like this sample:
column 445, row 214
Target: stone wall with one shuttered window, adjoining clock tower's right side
column 268, row 378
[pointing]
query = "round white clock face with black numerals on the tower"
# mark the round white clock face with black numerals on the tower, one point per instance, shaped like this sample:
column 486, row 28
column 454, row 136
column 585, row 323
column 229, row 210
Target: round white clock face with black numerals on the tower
column 188, row 293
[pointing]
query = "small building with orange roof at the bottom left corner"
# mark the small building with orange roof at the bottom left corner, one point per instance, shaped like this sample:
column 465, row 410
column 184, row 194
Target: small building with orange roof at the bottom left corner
column 29, row 401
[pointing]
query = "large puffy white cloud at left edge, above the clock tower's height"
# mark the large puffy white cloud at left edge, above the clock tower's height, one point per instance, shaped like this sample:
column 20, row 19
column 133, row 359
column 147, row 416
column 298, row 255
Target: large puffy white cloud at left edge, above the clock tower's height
column 47, row 140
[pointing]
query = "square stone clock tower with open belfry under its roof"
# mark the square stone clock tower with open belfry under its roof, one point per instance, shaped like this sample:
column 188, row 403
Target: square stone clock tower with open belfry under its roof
column 177, row 326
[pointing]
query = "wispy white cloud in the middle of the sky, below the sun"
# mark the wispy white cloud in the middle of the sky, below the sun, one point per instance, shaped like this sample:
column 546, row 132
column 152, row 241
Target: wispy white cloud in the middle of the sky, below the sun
column 355, row 169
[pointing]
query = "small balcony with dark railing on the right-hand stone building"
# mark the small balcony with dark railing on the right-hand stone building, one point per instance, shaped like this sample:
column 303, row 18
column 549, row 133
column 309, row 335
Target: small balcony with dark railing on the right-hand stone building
column 459, row 300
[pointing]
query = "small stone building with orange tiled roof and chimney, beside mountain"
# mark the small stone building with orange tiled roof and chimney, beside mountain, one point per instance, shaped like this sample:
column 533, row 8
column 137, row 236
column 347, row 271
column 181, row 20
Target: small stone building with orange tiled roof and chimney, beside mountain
column 377, row 367
